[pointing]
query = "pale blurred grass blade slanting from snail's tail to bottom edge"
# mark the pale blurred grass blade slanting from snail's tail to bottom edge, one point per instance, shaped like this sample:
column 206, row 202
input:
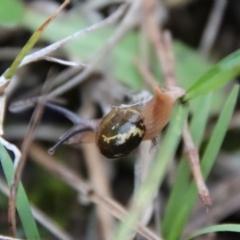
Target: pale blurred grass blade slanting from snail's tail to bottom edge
column 156, row 174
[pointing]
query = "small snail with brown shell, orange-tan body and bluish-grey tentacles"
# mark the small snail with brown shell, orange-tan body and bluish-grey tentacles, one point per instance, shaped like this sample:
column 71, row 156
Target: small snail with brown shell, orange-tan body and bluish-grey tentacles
column 123, row 129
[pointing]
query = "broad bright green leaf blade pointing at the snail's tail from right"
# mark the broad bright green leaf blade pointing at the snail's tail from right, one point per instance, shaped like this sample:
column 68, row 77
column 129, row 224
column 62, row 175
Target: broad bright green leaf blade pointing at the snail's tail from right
column 216, row 77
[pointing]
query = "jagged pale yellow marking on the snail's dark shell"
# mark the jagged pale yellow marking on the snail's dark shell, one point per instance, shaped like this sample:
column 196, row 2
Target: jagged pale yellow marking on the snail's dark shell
column 125, row 136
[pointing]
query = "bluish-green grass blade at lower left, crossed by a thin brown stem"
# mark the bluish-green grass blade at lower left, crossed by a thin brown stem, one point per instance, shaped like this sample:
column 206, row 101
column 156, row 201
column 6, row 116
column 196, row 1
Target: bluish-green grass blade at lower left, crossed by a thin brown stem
column 22, row 204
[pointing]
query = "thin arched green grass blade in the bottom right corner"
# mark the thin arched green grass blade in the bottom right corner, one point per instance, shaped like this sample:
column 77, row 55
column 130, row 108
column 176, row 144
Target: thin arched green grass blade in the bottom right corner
column 217, row 228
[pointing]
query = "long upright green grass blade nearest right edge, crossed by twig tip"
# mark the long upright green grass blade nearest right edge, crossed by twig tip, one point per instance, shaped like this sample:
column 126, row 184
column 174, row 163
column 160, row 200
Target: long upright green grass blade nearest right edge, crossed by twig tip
column 207, row 162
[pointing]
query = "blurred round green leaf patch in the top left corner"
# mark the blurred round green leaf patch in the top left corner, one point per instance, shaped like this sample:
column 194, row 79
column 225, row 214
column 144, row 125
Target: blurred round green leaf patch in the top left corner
column 11, row 12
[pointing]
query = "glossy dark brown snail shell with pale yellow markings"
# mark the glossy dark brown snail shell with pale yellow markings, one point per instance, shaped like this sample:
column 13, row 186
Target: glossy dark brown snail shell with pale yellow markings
column 120, row 132
